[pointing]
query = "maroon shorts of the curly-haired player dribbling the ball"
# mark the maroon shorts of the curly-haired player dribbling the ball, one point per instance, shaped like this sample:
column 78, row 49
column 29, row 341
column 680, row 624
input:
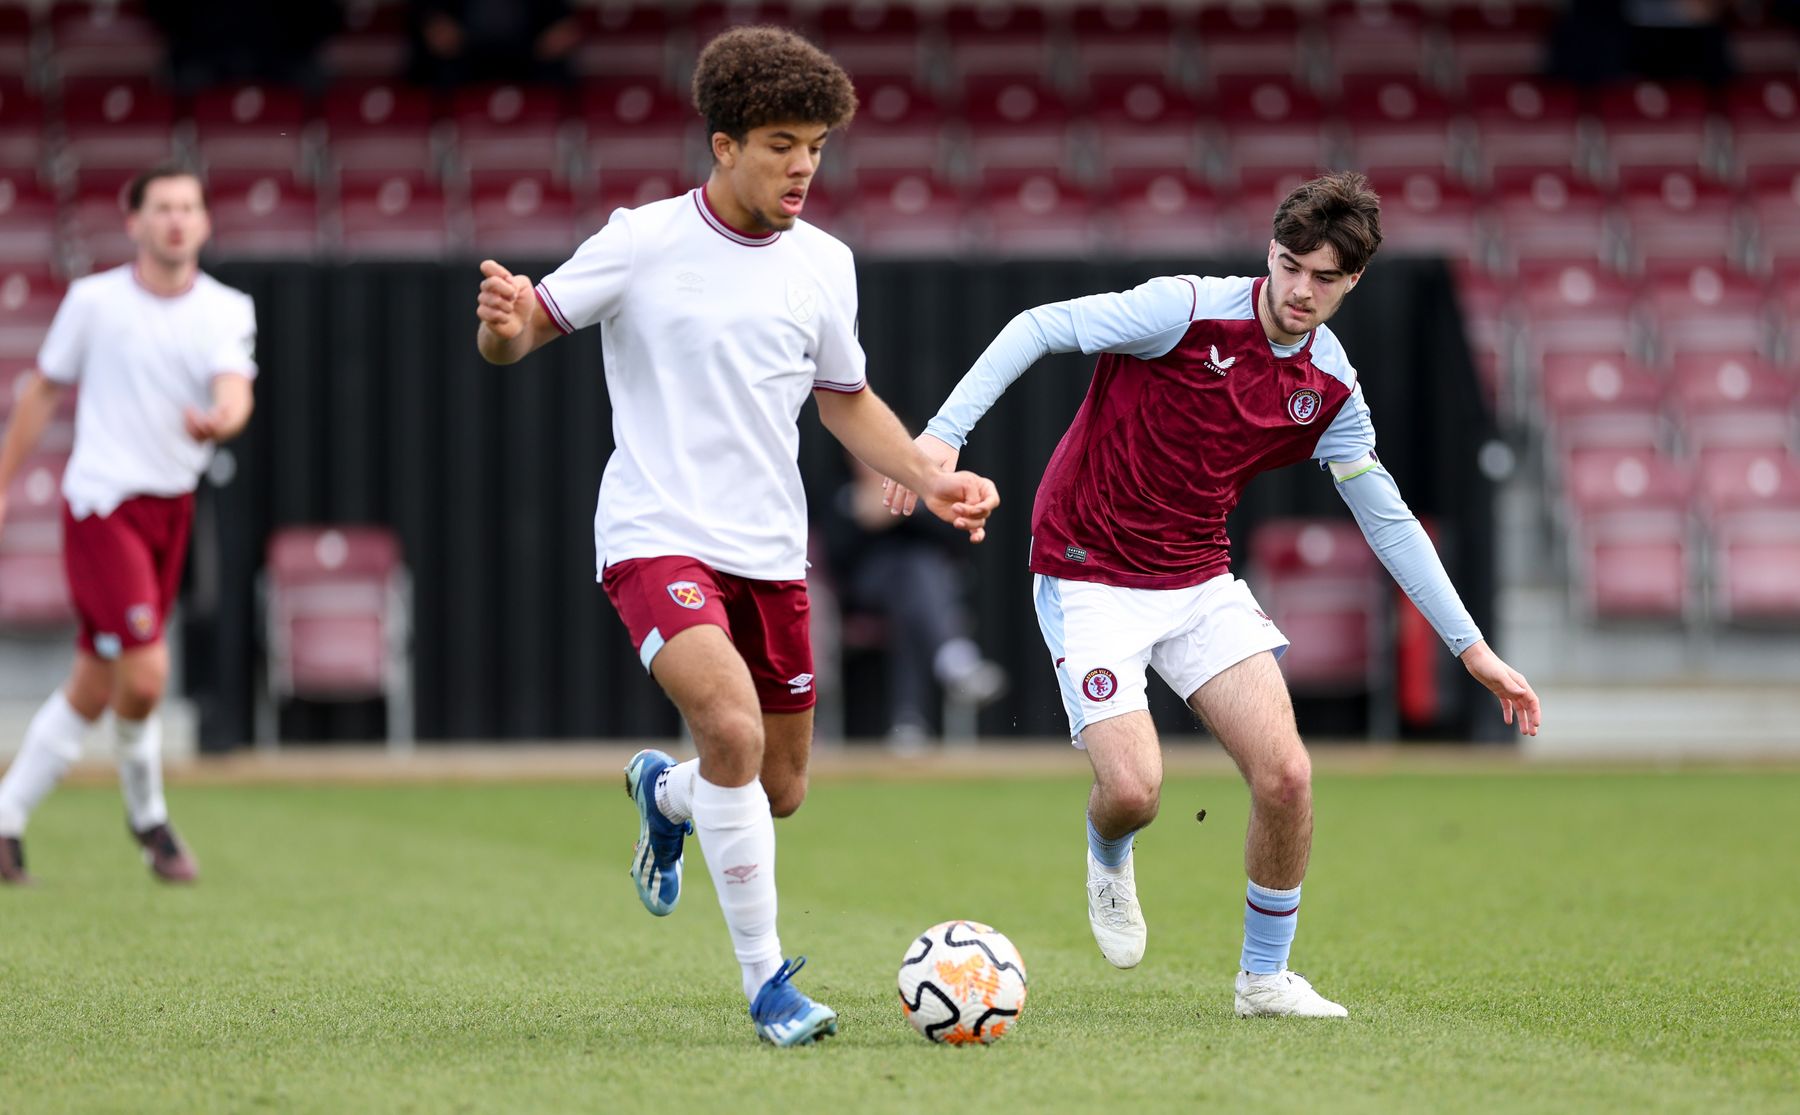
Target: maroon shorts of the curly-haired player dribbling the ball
column 766, row 619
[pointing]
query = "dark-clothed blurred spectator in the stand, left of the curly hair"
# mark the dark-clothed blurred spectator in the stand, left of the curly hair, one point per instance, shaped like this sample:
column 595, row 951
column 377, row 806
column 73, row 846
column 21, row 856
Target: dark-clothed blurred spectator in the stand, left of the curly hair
column 456, row 42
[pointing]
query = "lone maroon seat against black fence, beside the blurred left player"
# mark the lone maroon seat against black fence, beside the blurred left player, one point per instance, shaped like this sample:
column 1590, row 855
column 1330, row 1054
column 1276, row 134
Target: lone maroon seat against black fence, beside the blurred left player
column 337, row 615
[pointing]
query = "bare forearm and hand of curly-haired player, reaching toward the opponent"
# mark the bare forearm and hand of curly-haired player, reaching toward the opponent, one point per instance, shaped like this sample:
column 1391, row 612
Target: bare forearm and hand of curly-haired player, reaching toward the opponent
column 868, row 430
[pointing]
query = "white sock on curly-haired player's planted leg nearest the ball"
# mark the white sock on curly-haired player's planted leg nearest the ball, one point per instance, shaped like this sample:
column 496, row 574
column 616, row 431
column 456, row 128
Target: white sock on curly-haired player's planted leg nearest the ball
column 739, row 840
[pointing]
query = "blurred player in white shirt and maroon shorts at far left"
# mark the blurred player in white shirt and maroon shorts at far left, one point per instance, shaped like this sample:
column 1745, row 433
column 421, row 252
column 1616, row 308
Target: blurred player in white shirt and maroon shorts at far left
column 165, row 358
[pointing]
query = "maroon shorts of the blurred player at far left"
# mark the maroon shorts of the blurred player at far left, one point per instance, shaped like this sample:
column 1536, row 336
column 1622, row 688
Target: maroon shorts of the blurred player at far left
column 125, row 570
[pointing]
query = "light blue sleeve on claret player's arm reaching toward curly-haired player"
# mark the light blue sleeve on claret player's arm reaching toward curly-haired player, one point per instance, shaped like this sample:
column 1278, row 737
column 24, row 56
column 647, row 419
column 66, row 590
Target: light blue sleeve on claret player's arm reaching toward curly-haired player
column 1146, row 322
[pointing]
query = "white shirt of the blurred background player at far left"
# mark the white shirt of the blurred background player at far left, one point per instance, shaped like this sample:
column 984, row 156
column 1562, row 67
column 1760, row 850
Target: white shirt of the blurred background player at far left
column 141, row 361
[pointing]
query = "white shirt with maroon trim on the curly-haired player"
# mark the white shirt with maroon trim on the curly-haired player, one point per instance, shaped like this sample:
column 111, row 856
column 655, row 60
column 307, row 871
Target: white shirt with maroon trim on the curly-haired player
column 714, row 341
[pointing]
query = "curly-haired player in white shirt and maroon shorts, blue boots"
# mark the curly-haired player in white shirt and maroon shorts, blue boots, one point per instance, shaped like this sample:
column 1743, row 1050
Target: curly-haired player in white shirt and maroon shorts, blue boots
column 721, row 314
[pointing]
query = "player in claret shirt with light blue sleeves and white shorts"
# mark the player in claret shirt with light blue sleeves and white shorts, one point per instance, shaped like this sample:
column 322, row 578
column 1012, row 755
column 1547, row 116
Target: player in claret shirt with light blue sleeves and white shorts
column 1201, row 385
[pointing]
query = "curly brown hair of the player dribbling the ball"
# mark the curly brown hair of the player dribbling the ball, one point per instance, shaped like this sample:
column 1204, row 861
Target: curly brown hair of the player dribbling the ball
column 755, row 77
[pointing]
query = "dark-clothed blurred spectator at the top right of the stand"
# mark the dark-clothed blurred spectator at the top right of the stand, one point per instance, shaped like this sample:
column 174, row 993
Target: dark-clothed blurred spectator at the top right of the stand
column 1666, row 41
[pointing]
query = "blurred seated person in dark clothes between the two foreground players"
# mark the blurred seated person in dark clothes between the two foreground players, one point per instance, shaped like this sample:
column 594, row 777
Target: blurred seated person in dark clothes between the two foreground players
column 906, row 572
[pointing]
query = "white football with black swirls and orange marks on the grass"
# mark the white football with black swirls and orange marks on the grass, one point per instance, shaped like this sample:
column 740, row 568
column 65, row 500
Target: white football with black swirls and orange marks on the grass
column 962, row 984
